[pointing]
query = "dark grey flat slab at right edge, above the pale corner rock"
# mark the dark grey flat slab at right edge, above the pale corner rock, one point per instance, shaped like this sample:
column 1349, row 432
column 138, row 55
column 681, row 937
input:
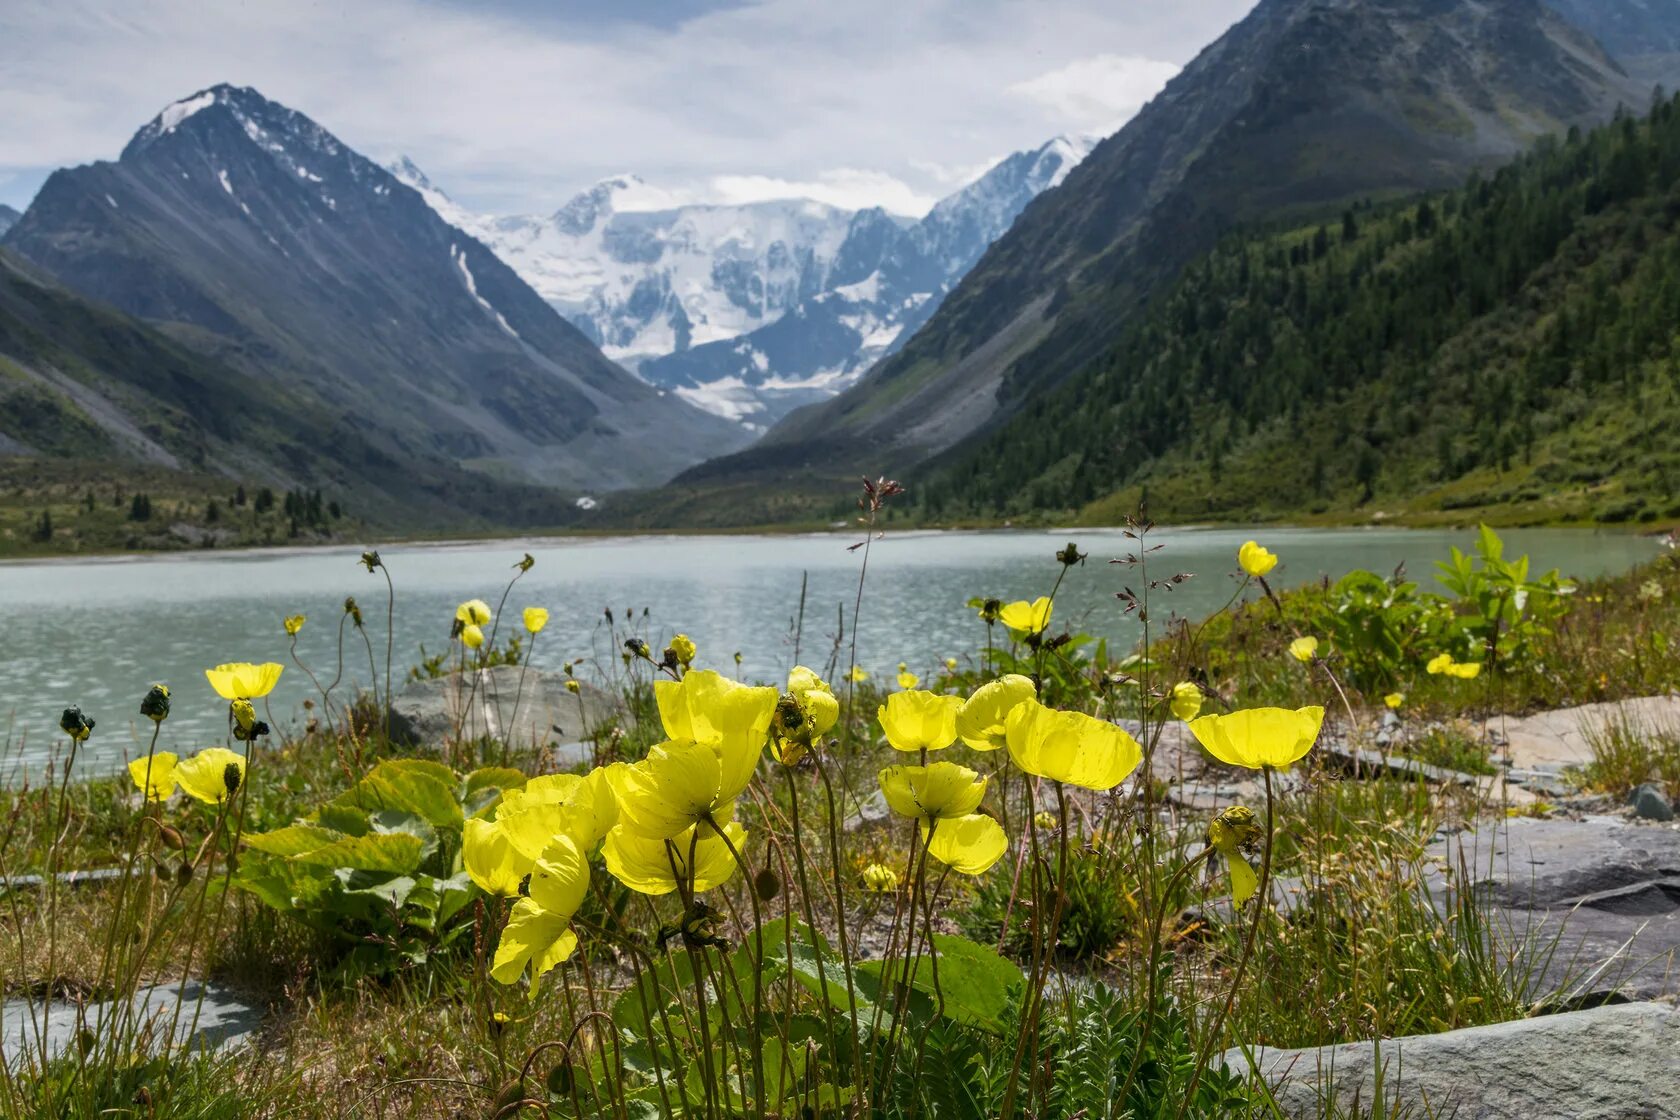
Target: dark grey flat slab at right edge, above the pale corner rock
column 1597, row 899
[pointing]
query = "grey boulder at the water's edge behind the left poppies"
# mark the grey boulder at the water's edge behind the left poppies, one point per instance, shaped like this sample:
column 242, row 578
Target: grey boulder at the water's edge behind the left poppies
column 429, row 713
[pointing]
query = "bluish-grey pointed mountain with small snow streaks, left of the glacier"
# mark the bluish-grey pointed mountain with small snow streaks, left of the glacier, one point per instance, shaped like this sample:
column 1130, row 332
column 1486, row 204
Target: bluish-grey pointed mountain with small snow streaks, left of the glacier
column 251, row 234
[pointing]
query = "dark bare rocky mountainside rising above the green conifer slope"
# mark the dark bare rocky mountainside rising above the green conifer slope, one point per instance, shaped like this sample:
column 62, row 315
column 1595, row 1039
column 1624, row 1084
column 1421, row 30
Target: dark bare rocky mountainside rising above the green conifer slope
column 1301, row 107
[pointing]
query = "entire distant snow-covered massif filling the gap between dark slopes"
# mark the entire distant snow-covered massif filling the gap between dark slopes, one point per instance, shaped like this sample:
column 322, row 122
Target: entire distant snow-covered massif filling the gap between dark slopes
column 752, row 310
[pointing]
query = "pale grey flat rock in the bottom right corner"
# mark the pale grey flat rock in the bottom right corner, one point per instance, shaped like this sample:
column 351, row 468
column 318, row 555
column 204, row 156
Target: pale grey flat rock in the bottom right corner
column 1607, row 1064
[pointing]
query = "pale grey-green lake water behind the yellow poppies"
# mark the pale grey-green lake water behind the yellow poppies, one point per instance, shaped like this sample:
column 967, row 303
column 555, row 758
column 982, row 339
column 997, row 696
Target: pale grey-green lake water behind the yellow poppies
column 100, row 632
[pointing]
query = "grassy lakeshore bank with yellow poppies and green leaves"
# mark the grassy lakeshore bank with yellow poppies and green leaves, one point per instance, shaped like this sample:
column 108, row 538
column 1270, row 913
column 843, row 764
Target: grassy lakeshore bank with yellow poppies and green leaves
column 826, row 956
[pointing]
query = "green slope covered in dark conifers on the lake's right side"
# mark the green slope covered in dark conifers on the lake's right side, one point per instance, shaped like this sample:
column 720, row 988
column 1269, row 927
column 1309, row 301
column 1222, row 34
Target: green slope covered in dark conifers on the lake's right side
column 1509, row 348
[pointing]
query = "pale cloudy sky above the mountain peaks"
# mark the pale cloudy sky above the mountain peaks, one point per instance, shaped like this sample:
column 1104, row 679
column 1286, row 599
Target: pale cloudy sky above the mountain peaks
column 517, row 105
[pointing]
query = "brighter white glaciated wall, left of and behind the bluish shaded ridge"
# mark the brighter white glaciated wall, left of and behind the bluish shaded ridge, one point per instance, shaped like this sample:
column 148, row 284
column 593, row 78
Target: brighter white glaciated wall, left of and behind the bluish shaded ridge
column 644, row 278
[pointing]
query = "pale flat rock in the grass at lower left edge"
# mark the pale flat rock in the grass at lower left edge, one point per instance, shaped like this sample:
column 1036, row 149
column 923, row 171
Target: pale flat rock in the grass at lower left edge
column 223, row 1020
